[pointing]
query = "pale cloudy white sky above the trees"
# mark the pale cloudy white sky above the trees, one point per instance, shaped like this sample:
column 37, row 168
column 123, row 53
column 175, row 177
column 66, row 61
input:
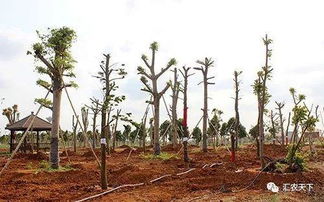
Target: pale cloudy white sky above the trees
column 228, row 31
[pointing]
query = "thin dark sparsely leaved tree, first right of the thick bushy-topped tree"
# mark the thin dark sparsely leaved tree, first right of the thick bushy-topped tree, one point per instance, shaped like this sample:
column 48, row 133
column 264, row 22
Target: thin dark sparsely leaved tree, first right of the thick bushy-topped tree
column 108, row 75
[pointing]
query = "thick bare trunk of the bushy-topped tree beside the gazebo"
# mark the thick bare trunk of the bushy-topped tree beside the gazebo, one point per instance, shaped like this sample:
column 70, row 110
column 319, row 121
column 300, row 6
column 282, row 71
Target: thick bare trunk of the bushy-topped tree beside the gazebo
column 56, row 114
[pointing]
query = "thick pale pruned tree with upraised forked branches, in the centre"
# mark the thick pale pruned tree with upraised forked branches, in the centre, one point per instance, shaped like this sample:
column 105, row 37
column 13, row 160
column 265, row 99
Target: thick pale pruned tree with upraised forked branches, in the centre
column 153, row 89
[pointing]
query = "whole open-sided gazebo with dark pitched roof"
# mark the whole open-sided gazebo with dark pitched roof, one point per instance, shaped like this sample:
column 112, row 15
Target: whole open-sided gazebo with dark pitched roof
column 22, row 125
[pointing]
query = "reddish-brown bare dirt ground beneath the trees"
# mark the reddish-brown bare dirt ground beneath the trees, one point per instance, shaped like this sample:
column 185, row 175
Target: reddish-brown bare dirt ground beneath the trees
column 221, row 182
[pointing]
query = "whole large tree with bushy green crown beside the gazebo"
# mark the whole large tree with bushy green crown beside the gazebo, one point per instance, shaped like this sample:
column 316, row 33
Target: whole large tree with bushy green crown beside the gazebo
column 53, row 51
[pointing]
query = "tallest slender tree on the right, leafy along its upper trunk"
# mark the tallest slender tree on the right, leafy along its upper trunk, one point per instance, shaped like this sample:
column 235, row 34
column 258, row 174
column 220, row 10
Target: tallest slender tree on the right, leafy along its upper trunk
column 261, row 90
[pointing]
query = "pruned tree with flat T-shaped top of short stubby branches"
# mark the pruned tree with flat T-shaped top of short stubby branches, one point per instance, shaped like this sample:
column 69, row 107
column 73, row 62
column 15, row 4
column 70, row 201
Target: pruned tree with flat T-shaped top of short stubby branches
column 205, row 65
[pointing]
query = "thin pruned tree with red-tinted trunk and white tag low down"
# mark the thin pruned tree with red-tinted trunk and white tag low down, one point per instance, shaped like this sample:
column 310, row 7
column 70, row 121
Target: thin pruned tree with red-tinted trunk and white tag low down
column 185, row 74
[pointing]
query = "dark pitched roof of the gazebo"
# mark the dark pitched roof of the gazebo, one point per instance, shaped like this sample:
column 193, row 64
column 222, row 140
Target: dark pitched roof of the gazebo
column 38, row 124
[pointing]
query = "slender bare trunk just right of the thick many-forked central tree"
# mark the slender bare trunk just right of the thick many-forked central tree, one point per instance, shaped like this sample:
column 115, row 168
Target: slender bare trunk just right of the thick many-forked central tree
column 175, row 96
